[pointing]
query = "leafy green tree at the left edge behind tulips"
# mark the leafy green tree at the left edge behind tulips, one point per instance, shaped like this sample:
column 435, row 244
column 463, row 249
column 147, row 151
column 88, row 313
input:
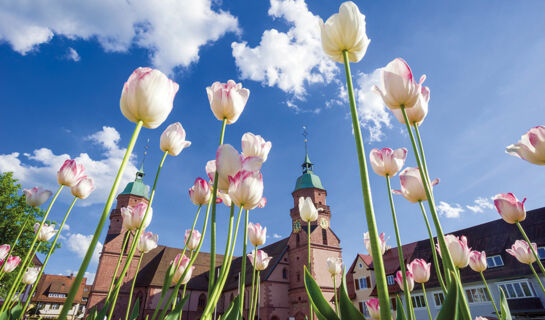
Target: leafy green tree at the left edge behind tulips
column 13, row 212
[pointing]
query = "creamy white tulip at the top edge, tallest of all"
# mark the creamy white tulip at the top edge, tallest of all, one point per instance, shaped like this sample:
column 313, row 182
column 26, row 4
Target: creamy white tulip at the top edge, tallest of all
column 345, row 31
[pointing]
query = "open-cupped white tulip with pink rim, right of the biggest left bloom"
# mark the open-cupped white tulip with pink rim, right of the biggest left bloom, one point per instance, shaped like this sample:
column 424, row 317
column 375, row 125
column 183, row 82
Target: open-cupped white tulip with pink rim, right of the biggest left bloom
column 227, row 100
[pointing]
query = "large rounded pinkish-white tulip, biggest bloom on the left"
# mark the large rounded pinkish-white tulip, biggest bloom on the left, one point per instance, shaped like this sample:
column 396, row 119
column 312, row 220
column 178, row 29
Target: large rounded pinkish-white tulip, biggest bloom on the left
column 148, row 96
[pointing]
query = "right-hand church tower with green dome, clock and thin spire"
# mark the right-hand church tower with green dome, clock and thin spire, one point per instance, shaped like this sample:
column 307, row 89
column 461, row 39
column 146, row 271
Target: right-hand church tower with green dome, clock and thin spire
column 323, row 242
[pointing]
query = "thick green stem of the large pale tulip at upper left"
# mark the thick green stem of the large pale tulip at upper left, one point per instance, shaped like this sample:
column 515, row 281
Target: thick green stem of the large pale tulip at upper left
column 109, row 202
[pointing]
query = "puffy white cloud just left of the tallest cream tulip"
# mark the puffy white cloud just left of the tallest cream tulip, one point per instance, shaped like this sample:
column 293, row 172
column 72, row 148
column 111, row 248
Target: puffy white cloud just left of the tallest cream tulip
column 291, row 59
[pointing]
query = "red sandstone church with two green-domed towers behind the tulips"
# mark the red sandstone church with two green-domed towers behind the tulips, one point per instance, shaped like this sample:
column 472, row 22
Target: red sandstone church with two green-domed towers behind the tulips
column 282, row 294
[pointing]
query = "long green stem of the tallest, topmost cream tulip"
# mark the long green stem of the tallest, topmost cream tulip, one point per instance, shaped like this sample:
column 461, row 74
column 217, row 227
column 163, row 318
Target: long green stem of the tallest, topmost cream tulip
column 378, row 263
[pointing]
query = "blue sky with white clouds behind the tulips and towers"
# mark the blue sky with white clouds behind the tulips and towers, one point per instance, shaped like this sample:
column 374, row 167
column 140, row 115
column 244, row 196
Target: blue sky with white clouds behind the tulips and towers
column 64, row 65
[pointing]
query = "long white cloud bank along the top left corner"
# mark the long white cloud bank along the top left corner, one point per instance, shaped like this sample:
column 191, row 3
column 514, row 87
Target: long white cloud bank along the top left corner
column 172, row 30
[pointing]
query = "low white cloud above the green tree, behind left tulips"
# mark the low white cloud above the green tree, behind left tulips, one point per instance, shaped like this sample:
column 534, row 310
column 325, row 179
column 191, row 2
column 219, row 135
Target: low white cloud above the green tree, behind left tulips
column 47, row 163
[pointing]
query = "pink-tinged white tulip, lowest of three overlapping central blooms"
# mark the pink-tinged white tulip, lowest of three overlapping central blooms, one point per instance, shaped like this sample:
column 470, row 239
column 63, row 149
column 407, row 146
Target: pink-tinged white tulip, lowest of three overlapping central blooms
column 246, row 189
